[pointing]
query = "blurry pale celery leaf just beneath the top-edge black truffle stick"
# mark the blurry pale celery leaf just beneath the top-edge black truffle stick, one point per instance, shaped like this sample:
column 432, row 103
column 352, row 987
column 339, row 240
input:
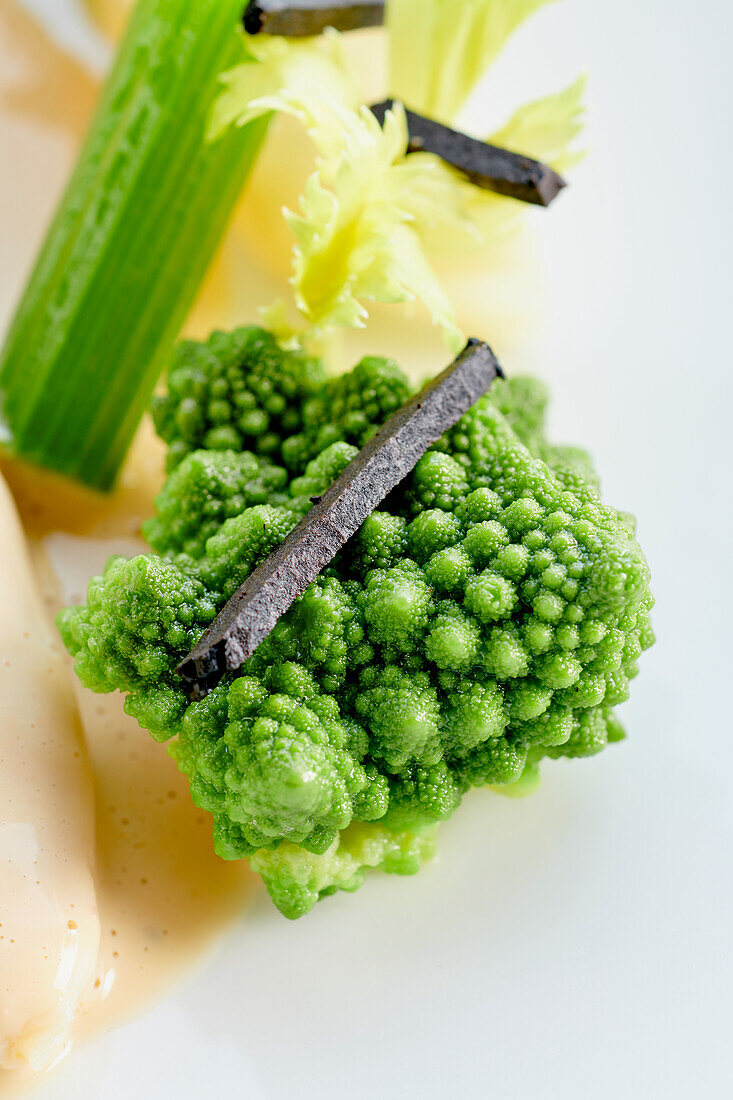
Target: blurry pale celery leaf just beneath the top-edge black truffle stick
column 278, row 65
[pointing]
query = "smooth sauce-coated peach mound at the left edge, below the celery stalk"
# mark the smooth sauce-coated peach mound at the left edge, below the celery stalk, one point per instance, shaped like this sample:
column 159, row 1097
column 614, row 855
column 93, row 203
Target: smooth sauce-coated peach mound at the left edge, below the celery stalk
column 49, row 915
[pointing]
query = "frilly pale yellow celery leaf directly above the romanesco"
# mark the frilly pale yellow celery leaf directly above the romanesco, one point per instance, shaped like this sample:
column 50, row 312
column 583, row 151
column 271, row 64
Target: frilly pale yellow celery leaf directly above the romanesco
column 366, row 217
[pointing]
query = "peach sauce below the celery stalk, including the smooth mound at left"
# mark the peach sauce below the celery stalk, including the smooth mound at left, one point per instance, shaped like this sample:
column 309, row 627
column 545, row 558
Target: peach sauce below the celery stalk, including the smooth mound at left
column 162, row 895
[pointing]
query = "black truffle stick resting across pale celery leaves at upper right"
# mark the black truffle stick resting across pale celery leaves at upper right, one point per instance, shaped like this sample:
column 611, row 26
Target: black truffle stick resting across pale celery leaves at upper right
column 488, row 167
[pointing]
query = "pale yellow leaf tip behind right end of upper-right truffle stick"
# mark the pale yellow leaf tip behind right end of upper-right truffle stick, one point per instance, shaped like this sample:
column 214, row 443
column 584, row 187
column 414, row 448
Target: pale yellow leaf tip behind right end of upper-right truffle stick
column 546, row 128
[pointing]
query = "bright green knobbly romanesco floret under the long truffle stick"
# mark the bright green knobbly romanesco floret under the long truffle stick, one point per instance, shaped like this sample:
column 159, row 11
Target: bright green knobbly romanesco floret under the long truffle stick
column 489, row 615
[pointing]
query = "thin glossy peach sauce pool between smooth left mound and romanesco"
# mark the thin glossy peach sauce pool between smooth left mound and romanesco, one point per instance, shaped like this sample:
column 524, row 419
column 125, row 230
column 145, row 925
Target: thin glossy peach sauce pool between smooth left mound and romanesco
column 163, row 894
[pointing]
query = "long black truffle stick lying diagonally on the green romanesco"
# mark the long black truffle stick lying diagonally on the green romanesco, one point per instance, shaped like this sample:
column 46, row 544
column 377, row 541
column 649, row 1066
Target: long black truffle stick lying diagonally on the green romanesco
column 387, row 459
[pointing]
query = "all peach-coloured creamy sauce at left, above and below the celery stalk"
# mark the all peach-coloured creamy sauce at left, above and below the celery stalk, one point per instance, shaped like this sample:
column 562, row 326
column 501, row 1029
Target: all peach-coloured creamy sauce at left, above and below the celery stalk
column 110, row 885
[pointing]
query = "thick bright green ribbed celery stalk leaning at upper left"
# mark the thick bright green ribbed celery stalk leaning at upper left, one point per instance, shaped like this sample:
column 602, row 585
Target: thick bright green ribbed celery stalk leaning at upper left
column 147, row 205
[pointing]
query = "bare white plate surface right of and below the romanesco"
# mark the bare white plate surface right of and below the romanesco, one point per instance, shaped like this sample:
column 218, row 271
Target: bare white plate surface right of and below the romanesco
column 576, row 944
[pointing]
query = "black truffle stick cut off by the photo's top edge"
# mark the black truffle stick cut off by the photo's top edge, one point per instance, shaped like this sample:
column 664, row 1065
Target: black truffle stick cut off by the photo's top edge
column 296, row 20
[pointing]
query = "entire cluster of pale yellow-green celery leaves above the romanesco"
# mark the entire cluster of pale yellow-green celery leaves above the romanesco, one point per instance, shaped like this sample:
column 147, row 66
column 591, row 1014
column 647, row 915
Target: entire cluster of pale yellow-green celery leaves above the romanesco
column 373, row 222
